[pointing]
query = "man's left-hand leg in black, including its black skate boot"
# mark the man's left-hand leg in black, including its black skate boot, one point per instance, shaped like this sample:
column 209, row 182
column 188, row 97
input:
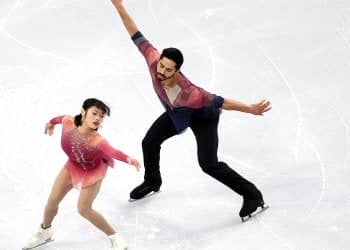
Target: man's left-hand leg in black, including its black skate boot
column 160, row 130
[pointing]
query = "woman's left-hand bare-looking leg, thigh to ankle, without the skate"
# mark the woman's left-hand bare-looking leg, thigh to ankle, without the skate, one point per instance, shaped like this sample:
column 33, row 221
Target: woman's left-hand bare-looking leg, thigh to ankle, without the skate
column 60, row 188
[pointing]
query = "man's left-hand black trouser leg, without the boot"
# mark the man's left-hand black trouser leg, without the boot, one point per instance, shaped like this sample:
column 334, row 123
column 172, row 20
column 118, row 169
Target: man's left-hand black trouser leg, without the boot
column 161, row 129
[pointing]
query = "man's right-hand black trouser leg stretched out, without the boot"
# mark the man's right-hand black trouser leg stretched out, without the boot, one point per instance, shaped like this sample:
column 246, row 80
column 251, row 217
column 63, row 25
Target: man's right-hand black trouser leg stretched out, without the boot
column 206, row 135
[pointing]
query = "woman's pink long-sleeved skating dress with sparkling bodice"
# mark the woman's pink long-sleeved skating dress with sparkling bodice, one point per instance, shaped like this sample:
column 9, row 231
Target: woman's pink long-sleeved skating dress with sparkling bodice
column 89, row 155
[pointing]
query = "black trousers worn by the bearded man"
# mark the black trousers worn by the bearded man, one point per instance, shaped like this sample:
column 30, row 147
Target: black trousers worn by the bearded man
column 206, row 134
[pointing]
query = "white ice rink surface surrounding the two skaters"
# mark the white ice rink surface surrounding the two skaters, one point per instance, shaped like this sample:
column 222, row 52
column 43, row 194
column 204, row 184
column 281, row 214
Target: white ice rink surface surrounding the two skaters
column 55, row 54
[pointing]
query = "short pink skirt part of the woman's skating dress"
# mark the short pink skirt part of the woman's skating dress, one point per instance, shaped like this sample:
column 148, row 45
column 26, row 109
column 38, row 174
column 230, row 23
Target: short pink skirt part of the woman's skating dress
column 82, row 178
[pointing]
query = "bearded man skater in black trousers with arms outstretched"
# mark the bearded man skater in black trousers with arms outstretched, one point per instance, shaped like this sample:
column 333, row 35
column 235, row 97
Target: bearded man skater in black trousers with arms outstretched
column 187, row 105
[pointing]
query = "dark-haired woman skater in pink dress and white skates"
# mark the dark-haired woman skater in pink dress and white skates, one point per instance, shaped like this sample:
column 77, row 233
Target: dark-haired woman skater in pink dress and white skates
column 89, row 156
